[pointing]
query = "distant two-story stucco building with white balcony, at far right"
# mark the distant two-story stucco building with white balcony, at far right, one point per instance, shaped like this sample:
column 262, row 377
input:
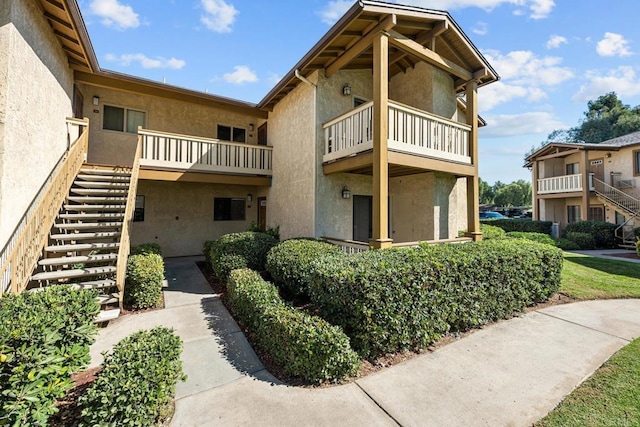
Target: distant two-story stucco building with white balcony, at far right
column 600, row 182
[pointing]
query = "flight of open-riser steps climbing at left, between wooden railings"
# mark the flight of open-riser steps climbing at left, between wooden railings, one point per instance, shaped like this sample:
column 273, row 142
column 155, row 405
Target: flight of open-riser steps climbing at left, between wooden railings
column 85, row 240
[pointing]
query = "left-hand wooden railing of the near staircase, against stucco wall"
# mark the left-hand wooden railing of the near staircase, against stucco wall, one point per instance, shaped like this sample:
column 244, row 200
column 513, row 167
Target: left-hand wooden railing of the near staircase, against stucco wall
column 23, row 249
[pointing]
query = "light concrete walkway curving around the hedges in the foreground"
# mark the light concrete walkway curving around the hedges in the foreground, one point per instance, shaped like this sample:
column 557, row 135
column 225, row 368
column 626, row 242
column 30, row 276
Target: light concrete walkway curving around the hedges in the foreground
column 508, row 374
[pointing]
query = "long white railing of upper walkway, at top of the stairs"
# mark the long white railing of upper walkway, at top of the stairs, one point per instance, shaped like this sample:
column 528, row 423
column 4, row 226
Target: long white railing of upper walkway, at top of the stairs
column 171, row 151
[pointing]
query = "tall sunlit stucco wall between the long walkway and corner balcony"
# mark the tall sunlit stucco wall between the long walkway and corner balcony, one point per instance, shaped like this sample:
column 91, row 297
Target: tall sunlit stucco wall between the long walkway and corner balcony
column 290, row 202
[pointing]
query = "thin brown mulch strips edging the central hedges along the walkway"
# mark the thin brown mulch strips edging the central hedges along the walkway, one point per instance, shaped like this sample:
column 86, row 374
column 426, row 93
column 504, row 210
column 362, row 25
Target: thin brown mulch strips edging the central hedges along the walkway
column 367, row 367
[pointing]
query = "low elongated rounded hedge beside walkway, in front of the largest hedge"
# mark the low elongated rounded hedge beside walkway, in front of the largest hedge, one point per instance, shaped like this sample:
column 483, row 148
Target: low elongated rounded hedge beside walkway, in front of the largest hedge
column 303, row 345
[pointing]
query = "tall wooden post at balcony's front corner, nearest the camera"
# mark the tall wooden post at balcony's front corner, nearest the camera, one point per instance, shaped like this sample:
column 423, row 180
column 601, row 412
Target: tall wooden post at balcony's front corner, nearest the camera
column 380, row 238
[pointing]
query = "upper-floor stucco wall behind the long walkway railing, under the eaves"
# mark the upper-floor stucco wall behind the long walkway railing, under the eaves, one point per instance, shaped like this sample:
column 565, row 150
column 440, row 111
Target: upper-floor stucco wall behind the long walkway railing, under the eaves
column 162, row 114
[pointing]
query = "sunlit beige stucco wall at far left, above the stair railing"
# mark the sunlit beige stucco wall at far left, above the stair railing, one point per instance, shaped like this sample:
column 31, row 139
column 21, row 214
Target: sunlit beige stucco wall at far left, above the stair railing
column 36, row 87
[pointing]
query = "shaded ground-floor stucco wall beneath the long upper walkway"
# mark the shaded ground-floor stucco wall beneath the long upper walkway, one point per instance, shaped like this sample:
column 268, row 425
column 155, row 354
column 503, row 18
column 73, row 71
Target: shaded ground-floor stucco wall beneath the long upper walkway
column 179, row 215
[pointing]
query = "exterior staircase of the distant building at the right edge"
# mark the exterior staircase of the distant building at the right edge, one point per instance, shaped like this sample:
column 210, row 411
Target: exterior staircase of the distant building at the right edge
column 624, row 203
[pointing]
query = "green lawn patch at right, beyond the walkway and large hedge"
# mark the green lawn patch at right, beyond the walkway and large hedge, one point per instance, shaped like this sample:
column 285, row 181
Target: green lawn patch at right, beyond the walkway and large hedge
column 585, row 277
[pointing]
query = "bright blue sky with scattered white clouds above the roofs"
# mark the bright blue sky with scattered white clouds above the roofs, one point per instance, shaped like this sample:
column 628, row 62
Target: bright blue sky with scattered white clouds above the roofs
column 552, row 55
